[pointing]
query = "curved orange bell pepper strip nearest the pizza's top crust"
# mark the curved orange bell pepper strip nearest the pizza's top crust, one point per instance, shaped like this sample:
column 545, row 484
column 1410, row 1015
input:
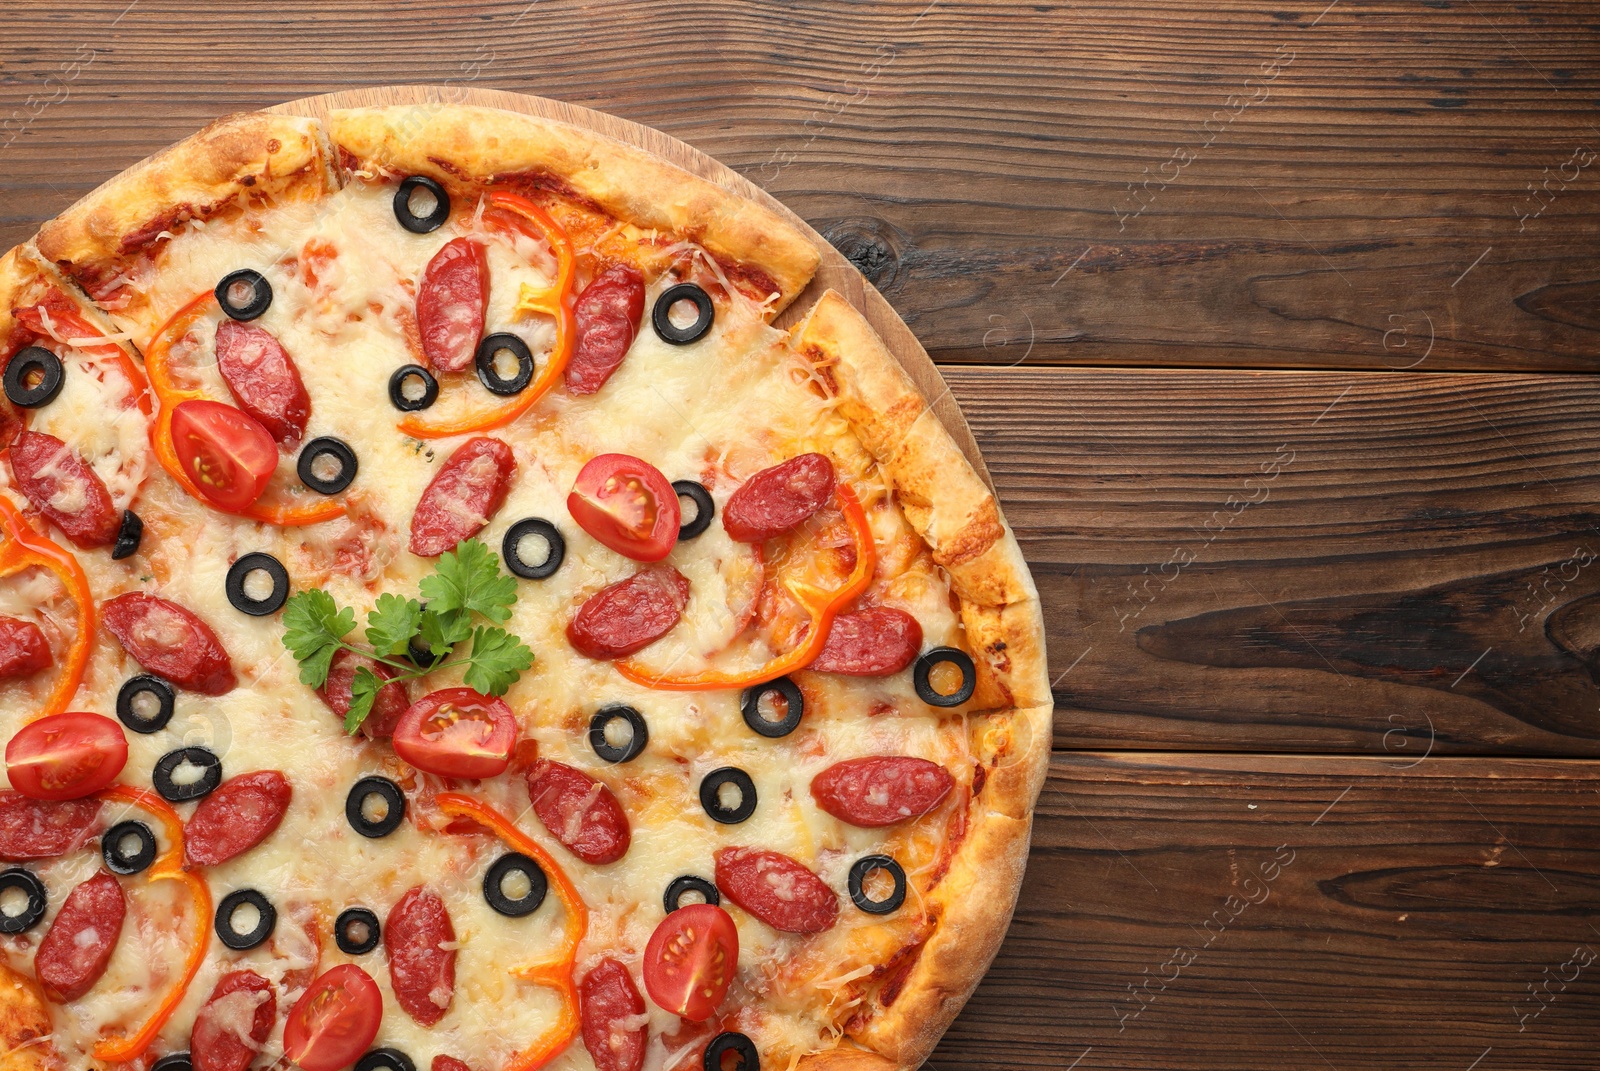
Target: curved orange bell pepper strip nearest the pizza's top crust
column 554, row 302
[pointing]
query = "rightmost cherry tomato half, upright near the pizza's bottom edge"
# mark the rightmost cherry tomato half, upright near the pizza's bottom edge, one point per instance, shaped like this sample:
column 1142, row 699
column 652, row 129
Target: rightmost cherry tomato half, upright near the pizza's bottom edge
column 690, row 961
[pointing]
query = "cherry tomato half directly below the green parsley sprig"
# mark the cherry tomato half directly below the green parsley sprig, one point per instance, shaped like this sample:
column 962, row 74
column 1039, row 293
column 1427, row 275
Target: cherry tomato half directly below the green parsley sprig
column 457, row 732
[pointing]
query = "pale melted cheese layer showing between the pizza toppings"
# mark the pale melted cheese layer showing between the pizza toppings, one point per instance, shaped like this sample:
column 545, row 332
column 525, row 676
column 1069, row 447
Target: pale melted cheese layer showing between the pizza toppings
column 718, row 411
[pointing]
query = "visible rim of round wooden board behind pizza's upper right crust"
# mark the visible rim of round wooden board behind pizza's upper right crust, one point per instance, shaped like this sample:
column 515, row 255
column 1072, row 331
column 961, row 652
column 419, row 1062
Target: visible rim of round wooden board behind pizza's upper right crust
column 834, row 273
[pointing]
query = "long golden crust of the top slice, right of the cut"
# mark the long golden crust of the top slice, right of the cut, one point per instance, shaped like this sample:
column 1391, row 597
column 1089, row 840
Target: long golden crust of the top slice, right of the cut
column 446, row 140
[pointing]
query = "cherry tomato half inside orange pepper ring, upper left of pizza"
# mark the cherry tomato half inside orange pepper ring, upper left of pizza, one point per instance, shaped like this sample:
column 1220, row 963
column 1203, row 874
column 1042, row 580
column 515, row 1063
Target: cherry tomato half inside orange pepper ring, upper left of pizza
column 226, row 452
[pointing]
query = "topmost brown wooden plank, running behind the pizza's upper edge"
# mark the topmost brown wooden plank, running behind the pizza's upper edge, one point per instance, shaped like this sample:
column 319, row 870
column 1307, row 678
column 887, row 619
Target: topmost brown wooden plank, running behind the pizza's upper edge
column 1358, row 185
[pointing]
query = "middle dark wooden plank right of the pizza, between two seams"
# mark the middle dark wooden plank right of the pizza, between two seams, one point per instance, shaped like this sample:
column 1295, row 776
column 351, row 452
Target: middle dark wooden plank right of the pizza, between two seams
column 1399, row 564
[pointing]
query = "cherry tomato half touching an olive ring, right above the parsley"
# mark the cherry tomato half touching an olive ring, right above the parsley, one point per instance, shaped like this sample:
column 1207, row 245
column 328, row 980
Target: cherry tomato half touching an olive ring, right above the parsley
column 628, row 505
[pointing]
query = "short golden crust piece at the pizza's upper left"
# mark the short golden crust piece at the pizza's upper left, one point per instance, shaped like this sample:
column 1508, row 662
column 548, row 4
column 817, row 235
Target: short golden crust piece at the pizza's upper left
column 252, row 154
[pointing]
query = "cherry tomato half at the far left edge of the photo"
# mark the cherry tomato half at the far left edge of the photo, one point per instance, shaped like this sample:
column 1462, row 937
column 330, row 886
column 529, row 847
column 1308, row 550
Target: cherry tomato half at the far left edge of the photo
column 66, row 756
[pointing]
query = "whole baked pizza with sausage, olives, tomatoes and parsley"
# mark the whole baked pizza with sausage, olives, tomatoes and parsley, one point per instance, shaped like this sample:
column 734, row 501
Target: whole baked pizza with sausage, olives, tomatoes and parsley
column 444, row 624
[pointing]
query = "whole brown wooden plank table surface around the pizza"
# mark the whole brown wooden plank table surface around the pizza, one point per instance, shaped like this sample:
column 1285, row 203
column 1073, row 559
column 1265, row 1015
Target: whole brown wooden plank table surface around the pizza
column 1273, row 323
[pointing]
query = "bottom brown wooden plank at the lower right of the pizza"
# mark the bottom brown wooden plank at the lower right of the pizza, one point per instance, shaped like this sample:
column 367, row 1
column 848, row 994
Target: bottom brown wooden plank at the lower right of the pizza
column 1231, row 913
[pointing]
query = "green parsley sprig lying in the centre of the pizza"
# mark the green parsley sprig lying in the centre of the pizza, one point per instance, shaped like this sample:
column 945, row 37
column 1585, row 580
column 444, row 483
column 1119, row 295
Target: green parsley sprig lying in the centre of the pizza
column 466, row 584
